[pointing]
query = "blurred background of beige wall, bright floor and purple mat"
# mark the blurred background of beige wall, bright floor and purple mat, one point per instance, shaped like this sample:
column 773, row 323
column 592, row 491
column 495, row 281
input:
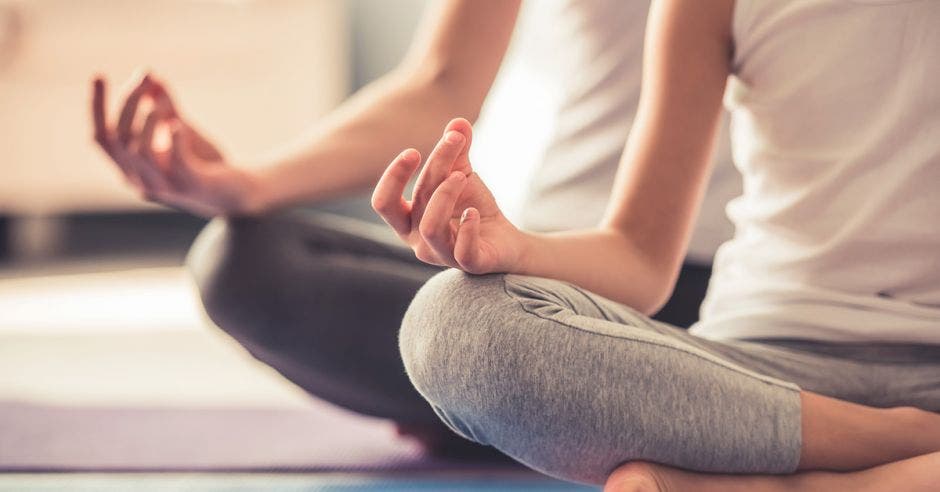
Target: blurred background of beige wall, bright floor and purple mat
column 106, row 359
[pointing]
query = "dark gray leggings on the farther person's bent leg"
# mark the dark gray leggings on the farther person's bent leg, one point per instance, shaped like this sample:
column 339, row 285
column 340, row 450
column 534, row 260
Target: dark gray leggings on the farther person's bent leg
column 320, row 298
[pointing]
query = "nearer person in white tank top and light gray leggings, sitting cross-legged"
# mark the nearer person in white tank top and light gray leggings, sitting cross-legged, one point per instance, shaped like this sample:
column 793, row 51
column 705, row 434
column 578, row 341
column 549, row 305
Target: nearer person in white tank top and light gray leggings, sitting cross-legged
column 816, row 364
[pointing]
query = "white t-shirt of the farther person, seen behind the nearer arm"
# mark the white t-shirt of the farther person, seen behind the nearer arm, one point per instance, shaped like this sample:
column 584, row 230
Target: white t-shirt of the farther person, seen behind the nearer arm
column 596, row 60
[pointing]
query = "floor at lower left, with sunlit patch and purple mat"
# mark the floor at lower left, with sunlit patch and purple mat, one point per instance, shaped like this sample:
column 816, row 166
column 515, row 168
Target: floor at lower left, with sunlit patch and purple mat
column 112, row 367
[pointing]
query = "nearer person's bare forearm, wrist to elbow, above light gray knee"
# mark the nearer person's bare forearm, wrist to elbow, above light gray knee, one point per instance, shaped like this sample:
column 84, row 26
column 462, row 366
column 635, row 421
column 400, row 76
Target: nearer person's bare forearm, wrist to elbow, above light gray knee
column 603, row 261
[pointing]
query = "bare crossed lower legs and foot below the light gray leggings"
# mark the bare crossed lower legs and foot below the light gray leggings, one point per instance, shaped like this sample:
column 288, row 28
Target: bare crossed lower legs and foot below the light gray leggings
column 845, row 447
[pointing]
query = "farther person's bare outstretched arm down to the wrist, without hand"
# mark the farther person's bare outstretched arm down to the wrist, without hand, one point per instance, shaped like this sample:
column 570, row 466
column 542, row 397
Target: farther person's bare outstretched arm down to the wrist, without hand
column 447, row 73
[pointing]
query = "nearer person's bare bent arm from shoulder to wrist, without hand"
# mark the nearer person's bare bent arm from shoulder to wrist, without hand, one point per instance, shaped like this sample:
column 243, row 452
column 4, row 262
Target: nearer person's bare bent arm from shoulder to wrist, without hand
column 635, row 255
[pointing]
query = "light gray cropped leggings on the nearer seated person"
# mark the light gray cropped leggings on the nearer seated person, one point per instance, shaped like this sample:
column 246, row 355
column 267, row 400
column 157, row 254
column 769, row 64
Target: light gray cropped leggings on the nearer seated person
column 573, row 384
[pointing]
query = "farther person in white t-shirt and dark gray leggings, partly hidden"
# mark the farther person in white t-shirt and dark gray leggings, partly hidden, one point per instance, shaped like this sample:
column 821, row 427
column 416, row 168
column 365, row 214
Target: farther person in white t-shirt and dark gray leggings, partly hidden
column 320, row 298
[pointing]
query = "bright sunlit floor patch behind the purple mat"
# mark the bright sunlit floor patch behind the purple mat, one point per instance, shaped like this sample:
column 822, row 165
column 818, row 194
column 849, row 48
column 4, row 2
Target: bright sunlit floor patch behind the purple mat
column 133, row 337
